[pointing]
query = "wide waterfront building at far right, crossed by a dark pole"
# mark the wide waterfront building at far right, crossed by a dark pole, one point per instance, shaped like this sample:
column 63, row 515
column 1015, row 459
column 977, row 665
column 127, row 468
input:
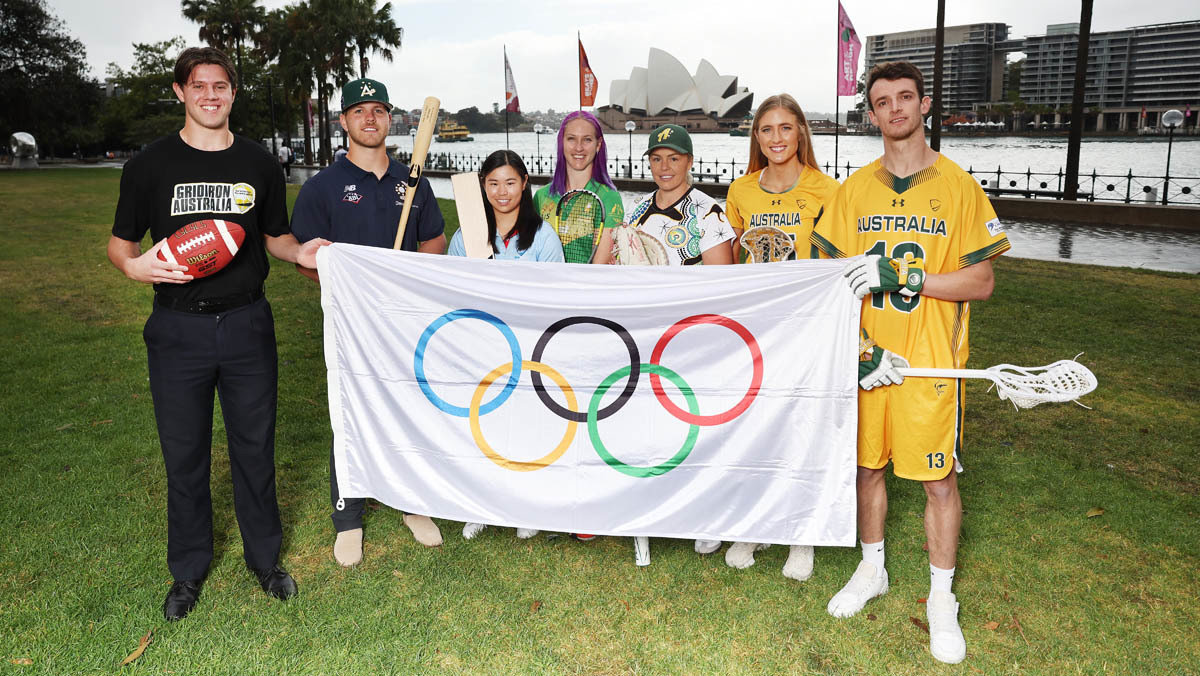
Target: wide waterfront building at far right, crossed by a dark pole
column 1133, row 75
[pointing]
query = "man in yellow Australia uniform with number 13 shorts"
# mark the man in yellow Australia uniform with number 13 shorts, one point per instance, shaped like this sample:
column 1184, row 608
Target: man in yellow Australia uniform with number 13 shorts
column 923, row 236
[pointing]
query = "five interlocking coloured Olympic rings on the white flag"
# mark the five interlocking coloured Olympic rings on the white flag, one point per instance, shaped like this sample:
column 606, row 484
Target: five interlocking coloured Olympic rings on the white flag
column 595, row 414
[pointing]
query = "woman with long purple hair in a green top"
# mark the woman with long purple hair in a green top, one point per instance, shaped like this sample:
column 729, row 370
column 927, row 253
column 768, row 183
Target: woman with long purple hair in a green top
column 583, row 165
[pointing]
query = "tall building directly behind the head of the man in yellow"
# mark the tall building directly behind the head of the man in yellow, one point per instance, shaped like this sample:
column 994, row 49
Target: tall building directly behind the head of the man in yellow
column 973, row 67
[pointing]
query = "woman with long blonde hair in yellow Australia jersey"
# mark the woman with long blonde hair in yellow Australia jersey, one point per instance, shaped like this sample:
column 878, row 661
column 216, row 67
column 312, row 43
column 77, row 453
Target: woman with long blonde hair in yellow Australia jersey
column 783, row 186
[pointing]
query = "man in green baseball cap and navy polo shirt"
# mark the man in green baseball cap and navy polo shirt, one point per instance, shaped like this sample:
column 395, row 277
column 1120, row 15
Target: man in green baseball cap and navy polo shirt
column 358, row 200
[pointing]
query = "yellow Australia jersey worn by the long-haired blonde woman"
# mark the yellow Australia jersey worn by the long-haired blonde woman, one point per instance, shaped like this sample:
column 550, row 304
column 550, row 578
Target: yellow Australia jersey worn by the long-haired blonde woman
column 795, row 212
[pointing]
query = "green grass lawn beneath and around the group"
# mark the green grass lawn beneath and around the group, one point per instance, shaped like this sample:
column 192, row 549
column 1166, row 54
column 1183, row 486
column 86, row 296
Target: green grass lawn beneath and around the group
column 1045, row 588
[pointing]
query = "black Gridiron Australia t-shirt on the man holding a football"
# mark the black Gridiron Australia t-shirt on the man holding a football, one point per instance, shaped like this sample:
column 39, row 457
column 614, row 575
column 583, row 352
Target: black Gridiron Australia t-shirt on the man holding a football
column 172, row 184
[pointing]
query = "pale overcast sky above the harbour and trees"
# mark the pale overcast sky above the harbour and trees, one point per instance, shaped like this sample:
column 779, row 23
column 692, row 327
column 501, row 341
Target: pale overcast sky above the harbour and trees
column 453, row 50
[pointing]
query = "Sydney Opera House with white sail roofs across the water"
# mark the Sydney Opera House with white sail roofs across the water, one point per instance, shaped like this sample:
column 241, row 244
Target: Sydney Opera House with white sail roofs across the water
column 665, row 93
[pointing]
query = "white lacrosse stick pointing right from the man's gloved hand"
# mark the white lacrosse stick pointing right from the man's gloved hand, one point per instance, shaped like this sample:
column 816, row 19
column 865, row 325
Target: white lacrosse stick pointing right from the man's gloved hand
column 1063, row 381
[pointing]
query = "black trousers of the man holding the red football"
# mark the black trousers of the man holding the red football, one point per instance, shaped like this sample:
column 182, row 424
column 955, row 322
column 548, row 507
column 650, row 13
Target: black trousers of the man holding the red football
column 191, row 356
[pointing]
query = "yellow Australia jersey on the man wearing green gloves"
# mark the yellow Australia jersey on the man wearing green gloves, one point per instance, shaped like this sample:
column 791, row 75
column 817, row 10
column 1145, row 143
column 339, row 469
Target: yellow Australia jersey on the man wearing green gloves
column 939, row 214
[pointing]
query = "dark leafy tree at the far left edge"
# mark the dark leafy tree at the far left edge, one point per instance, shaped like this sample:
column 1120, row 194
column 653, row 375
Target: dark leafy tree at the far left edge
column 44, row 82
